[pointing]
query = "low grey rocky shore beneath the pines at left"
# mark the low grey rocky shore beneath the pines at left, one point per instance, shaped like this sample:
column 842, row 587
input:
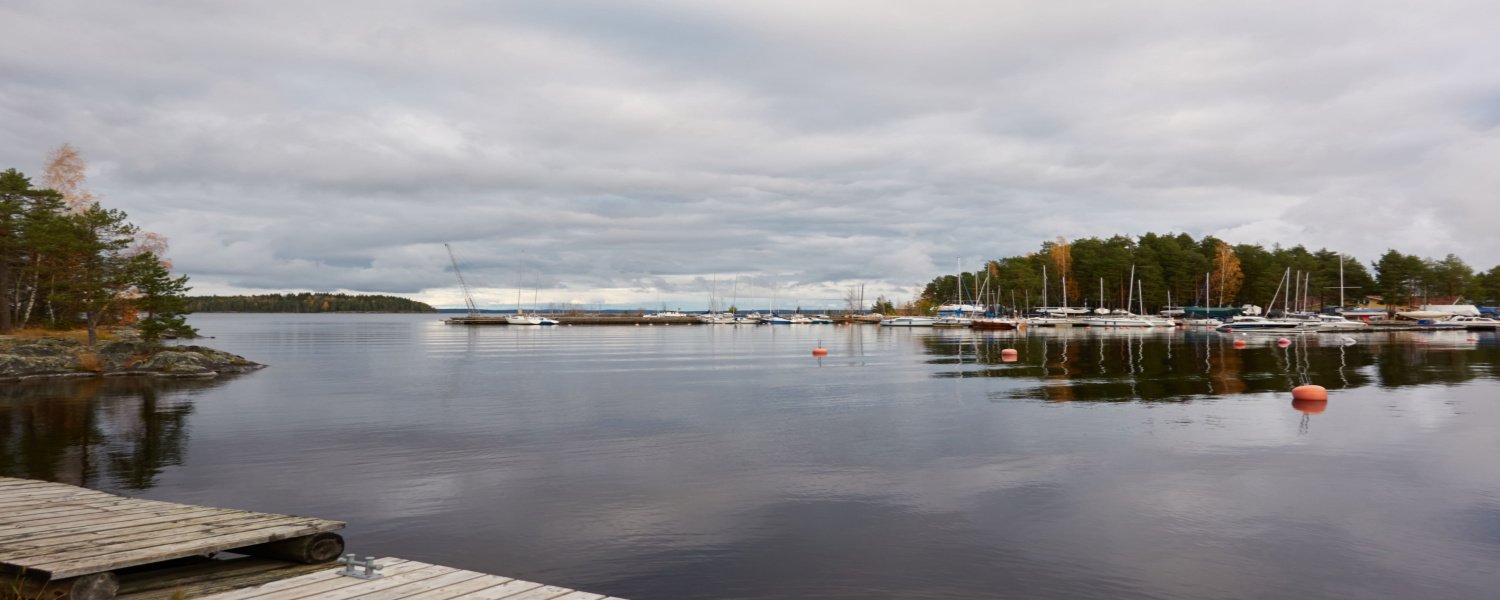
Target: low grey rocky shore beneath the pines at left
column 47, row 358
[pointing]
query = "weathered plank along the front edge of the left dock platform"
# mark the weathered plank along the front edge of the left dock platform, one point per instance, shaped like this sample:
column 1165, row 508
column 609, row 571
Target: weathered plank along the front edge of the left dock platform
column 187, row 548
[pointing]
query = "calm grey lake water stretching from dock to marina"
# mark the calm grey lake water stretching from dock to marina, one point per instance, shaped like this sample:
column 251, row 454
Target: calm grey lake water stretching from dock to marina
column 727, row 463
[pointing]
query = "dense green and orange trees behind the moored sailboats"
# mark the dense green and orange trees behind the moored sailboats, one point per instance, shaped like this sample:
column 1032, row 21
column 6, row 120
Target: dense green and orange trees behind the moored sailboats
column 1181, row 269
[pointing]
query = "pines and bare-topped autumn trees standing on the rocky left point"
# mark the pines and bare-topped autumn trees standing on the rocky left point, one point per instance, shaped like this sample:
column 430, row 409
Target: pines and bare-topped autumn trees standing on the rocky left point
column 67, row 262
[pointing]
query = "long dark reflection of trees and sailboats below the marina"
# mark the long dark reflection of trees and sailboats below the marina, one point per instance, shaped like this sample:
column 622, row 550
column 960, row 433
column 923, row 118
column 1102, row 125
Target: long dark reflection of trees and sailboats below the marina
column 1177, row 367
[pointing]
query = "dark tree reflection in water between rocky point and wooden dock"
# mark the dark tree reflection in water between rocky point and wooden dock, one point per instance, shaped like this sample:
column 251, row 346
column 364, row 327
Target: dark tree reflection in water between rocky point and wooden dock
column 113, row 433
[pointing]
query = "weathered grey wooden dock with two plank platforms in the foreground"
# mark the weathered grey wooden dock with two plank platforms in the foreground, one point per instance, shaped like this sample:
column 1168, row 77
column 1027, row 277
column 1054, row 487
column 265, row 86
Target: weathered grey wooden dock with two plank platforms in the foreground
column 64, row 542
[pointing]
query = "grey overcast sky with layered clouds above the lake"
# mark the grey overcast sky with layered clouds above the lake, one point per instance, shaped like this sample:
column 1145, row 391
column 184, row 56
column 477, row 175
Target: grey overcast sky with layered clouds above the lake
column 605, row 152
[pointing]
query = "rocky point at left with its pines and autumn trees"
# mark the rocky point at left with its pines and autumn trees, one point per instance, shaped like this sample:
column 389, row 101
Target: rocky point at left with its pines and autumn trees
column 86, row 293
